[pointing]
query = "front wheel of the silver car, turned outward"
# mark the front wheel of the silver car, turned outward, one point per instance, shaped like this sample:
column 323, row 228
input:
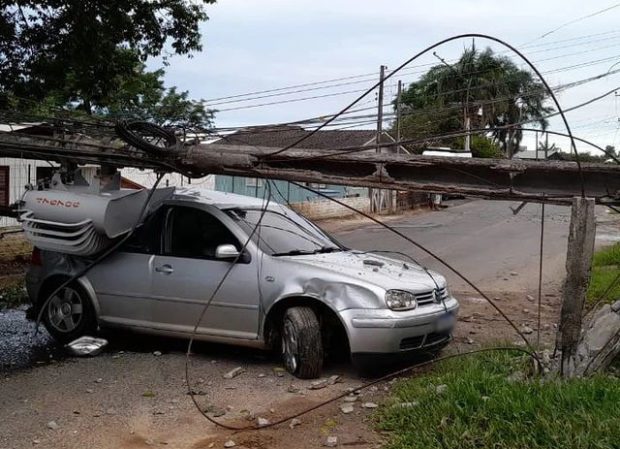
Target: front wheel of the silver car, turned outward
column 302, row 346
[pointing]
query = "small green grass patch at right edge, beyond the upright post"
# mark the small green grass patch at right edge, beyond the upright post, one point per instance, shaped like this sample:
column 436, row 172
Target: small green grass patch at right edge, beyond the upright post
column 605, row 268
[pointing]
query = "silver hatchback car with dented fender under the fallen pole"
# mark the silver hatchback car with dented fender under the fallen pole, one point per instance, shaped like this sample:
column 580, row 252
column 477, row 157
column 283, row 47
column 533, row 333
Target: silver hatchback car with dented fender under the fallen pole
column 293, row 288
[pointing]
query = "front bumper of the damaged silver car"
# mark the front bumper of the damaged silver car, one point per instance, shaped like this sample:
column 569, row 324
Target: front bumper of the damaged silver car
column 384, row 331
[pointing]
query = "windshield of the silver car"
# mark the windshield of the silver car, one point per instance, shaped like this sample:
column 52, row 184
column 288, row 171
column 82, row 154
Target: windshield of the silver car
column 283, row 232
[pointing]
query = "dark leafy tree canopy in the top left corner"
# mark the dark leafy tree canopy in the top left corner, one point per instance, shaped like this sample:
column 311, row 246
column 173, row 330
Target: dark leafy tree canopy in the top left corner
column 83, row 52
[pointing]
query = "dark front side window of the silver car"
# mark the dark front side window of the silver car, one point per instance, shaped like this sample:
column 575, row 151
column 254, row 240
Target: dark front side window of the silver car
column 195, row 233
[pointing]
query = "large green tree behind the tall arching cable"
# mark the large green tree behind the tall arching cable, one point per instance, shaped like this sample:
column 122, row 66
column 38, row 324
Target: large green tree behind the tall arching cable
column 483, row 88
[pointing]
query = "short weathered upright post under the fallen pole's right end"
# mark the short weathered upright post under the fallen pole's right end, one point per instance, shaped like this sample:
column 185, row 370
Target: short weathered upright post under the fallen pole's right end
column 578, row 265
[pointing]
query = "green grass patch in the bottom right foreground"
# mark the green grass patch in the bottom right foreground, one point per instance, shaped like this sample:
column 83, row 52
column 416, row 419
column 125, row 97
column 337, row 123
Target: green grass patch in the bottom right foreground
column 483, row 408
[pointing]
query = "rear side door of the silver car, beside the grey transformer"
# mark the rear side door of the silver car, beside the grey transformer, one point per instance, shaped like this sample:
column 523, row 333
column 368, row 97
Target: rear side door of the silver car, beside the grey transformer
column 122, row 281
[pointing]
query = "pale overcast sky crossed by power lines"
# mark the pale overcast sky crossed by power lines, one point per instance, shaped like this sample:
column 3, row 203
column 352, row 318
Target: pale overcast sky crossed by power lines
column 254, row 45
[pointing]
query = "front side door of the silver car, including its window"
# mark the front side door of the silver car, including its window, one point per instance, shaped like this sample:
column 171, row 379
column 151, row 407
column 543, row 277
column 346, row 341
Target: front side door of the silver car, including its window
column 186, row 274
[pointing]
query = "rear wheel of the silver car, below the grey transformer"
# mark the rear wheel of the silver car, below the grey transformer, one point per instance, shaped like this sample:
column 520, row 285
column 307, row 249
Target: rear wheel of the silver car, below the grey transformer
column 69, row 314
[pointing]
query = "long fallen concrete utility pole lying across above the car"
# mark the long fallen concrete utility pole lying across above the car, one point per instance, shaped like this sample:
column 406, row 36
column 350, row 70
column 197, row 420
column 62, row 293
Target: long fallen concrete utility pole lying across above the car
column 503, row 179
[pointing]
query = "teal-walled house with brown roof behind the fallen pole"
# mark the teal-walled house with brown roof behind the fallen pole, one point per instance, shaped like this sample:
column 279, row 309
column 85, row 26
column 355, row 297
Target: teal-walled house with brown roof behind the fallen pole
column 281, row 136
